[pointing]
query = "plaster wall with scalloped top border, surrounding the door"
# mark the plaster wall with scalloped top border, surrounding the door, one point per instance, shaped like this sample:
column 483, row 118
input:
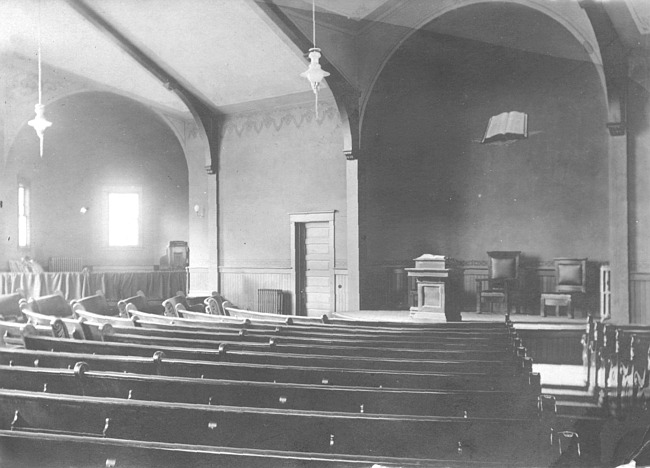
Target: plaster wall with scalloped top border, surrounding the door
column 273, row 164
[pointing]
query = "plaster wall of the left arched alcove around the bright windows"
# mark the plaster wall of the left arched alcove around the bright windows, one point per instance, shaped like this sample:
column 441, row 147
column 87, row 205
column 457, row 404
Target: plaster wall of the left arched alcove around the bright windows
column 97, row 140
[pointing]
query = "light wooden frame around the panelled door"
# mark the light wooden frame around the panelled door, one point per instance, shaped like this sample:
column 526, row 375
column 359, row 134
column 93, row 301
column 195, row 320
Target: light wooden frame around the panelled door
column 310, row 217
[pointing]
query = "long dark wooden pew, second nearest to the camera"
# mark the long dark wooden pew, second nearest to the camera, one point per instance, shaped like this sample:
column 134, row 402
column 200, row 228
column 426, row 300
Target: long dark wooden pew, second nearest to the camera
column 517, row 439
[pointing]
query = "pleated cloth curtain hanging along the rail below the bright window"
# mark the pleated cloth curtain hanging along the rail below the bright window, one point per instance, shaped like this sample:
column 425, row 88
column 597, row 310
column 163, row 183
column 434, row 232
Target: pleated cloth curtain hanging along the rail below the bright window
column 157, row 285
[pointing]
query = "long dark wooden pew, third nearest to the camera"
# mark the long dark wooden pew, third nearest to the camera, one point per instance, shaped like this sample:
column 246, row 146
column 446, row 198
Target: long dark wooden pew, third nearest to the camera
column 83, row 382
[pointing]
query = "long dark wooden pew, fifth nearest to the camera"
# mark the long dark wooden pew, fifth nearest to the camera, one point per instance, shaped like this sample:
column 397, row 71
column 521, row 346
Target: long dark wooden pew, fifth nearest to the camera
column 265, row 355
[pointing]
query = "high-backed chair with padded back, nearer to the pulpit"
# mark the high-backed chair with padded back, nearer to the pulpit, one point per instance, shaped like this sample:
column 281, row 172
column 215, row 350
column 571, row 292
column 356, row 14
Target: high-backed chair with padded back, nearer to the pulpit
column 503, row 281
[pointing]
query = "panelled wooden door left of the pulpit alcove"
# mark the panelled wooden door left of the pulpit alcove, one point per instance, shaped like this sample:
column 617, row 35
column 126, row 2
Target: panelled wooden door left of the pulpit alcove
column 313, row 268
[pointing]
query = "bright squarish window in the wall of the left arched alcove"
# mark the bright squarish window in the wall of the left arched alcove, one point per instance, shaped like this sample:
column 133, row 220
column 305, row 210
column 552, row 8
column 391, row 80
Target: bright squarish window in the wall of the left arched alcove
column 123, row 219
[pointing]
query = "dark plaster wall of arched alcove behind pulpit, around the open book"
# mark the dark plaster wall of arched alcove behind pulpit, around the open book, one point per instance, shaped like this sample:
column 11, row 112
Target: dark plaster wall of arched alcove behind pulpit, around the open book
column 432, row 187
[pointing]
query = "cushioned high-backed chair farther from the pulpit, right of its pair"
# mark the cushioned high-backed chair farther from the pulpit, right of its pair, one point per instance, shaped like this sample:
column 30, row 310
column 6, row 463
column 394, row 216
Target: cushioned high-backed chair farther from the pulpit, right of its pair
column 571, row 281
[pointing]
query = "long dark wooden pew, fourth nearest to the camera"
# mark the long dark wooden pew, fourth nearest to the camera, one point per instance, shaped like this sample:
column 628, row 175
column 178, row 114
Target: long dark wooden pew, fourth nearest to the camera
column 159, row 364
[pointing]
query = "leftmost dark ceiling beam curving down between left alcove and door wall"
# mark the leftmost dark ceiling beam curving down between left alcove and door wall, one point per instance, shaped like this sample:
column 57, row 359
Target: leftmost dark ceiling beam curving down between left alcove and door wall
column 207, row 117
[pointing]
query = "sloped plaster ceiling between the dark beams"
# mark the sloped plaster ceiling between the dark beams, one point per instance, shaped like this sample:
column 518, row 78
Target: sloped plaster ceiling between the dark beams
column 232, row 55
